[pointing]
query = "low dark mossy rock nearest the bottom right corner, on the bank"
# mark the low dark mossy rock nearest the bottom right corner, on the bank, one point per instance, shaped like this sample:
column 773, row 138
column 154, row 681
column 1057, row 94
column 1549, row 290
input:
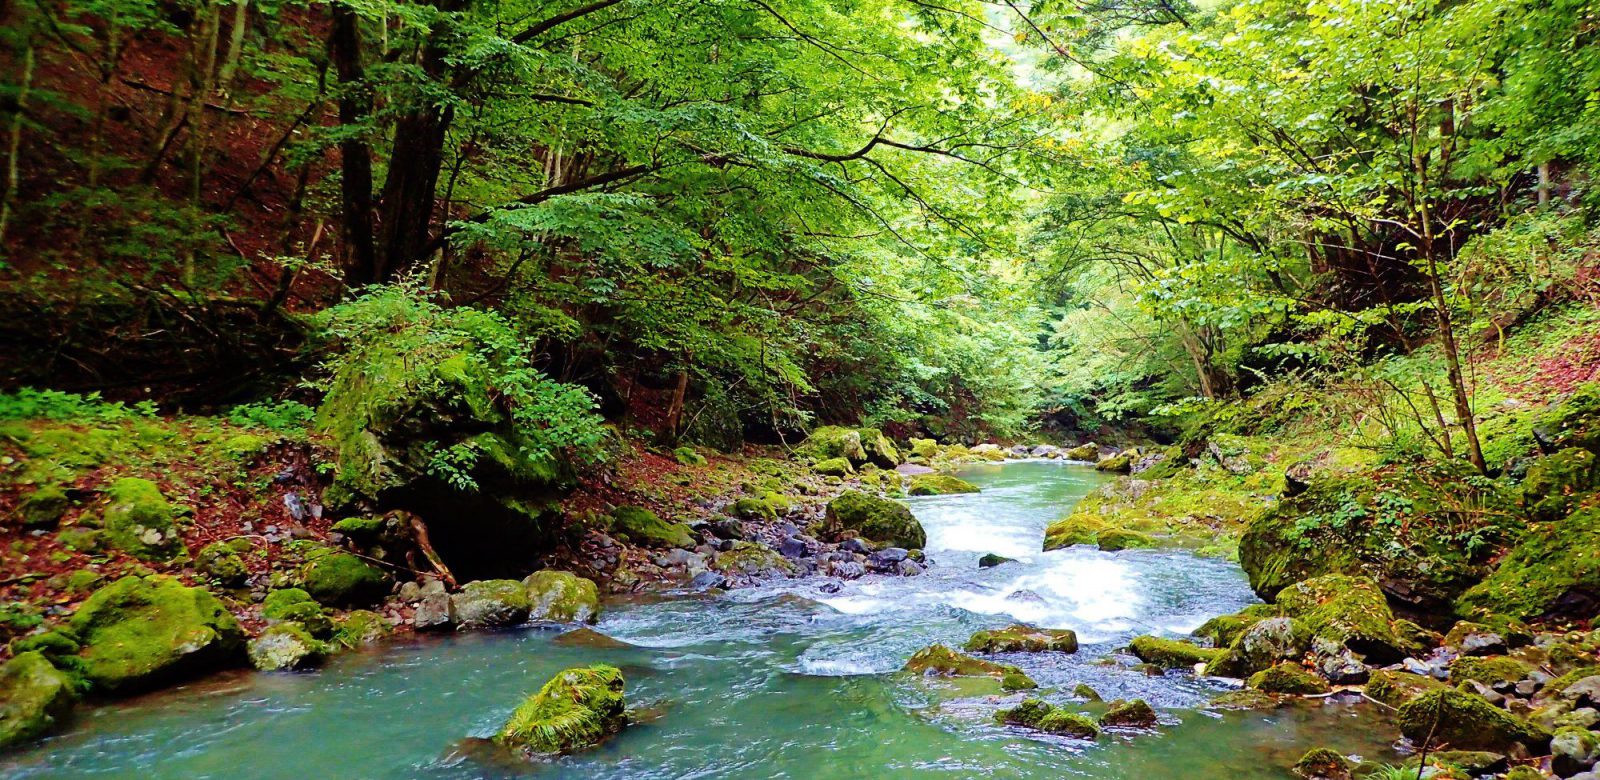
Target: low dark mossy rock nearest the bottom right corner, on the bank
column 1466, row 722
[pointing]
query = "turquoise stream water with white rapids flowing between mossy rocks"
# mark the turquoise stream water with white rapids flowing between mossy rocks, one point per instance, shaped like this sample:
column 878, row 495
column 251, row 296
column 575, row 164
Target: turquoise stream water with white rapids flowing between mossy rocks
column 775, row 682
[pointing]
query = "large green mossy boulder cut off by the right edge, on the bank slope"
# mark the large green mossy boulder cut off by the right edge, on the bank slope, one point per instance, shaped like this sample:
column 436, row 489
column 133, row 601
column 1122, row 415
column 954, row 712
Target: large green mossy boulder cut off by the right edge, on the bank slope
column 1554, row 571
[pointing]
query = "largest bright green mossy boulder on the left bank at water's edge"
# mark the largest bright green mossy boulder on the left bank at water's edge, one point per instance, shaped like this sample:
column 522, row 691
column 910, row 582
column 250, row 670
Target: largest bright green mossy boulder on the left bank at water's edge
column 142, row 632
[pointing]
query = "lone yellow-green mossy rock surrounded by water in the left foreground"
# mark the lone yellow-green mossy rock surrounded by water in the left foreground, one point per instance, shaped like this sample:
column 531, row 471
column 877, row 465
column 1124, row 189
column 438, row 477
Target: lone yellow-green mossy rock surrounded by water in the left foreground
column 575, row 710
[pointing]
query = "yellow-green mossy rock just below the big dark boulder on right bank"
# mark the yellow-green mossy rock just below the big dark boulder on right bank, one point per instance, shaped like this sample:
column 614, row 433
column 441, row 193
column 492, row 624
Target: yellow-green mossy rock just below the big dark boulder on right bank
column 1350, row 611
